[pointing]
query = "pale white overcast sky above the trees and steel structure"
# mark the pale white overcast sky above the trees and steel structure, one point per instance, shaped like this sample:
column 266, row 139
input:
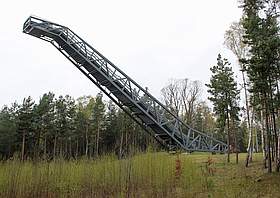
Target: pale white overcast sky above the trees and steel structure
column 150, row 40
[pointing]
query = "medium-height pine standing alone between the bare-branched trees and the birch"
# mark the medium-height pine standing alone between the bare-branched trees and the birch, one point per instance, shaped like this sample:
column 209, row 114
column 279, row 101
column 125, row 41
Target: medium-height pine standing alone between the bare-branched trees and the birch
column 225, row 96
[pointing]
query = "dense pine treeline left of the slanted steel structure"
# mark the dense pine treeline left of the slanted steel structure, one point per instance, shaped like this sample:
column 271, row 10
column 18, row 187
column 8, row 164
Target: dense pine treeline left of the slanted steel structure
column 68, row 128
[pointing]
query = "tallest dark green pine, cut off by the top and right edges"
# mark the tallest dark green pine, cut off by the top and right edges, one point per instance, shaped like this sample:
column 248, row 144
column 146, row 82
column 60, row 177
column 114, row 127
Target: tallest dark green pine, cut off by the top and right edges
column 262, row 35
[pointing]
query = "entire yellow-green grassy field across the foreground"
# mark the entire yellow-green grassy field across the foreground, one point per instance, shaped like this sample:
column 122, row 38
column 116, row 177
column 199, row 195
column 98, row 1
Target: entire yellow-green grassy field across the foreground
column 144, row 175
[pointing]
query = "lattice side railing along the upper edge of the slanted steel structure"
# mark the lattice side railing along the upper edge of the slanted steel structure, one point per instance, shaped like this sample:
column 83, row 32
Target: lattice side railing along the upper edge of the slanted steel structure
column 136, row 92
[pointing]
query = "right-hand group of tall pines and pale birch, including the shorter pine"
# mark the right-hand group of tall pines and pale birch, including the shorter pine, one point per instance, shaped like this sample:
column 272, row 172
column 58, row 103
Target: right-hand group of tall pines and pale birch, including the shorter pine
column 255, row 40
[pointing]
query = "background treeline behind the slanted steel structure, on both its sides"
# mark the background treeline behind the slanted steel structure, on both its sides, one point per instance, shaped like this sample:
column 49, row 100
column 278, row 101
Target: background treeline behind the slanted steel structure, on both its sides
column 89, row 126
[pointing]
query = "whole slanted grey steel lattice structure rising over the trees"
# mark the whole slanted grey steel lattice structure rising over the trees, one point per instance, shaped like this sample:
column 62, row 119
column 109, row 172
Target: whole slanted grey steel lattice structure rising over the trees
column 140, row 105
